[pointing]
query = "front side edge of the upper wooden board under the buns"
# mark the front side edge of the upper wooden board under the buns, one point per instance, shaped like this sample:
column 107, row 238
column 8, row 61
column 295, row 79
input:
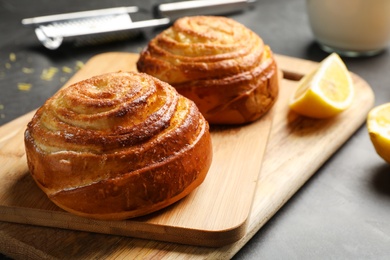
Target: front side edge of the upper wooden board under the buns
column 127, row 228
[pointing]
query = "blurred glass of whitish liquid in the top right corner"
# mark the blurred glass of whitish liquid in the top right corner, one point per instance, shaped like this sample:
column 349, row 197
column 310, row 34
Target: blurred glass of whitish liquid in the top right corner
column 350, row 28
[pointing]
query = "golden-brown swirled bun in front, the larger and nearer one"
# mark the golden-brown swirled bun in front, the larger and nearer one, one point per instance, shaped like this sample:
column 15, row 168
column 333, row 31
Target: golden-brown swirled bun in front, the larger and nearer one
column 117, row 146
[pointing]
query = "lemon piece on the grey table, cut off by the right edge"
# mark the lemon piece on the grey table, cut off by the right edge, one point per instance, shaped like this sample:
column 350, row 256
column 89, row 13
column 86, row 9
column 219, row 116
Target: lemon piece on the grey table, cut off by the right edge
column 378, row 125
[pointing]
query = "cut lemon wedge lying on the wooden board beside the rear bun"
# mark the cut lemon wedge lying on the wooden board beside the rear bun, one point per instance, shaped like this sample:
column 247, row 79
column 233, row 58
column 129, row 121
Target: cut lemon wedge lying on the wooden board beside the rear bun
column 326, row 91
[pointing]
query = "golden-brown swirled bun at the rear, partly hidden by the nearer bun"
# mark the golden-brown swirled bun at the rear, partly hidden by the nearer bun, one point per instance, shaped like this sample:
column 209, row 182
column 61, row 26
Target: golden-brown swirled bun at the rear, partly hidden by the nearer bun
column 221, row 65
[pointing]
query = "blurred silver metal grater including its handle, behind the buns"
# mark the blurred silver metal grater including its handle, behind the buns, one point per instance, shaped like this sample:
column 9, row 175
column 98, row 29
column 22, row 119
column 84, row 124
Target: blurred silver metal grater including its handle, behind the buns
column 53, row 29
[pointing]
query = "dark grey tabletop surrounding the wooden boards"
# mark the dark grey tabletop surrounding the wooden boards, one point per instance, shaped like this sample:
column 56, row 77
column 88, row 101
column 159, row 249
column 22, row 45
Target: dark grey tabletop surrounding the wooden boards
column 342, row 212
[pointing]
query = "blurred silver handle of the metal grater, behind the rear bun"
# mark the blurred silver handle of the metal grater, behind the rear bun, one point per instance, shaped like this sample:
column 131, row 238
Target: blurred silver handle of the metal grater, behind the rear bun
column 201, row 7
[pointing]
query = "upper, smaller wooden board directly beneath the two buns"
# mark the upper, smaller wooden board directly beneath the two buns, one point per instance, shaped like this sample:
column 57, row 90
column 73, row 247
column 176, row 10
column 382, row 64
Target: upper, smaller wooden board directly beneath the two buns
column 214, row 214
